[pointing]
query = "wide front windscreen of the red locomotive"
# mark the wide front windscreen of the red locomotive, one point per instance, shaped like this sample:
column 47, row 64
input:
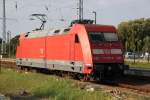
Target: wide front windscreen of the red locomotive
column 101, row 36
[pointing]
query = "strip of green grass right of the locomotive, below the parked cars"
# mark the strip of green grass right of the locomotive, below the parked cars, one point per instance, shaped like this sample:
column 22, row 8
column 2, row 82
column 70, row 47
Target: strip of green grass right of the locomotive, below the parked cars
column 143, row 65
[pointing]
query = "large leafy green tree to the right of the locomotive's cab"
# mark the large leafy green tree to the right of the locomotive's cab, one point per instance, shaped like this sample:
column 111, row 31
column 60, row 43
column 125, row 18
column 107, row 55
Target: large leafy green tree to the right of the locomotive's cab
column 133, row 33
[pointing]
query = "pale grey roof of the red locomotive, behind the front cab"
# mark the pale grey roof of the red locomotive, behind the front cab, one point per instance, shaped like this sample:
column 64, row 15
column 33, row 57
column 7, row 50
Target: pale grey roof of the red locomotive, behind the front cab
column 47, row 32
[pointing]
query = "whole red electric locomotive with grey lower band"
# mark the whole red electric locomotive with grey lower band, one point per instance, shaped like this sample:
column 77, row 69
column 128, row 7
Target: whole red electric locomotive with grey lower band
column 83, row 49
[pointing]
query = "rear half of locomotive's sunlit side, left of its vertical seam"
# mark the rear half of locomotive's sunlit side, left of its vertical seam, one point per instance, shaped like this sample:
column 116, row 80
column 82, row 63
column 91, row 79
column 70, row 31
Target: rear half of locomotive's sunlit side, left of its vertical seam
column 31, row 52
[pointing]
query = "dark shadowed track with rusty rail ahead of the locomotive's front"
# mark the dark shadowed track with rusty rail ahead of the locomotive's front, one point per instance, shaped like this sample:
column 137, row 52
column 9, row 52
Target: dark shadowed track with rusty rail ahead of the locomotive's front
column 135, row 83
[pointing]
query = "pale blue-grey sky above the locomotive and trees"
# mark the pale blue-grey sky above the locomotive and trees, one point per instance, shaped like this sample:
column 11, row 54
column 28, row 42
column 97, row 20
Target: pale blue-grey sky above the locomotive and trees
column 110, row 12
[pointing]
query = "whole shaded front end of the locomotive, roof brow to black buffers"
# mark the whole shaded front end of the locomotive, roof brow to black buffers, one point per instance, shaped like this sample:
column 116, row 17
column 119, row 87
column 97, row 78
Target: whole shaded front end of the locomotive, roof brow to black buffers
column 107, row 51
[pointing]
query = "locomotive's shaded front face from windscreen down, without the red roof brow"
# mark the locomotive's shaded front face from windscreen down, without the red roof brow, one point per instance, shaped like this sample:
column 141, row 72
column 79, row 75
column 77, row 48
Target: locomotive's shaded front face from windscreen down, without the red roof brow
column 106, row 50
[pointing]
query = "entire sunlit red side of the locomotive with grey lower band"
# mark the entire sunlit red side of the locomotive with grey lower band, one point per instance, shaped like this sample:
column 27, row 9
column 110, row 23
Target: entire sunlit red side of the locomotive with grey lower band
column 55, row 52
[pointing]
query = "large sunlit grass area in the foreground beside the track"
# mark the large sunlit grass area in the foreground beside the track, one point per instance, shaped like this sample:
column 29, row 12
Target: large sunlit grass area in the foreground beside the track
column 41, row 86
